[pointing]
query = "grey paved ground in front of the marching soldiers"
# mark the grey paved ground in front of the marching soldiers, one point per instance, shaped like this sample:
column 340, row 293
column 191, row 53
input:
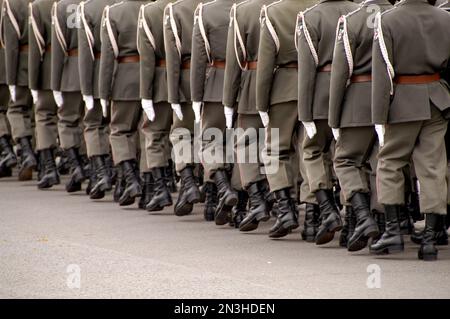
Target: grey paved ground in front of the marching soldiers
column 129, row 253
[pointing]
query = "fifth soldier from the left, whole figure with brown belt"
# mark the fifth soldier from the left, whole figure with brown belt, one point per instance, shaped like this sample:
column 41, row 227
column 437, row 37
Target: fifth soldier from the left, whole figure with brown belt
column 119, row 83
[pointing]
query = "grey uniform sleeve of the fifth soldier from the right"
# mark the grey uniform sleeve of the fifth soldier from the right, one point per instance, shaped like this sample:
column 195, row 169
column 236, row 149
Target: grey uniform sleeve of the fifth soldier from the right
column 232, row 77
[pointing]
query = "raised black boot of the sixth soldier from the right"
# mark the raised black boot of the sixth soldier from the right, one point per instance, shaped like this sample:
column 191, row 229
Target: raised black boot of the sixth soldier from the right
column 227, row 198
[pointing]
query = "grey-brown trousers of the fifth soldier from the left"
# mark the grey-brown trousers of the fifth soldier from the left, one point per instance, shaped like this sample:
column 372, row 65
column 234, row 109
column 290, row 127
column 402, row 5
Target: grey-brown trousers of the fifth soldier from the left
column 125, row 116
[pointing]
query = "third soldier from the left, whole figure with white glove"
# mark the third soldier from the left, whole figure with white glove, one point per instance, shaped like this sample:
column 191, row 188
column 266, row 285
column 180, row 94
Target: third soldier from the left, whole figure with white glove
column 65, row 83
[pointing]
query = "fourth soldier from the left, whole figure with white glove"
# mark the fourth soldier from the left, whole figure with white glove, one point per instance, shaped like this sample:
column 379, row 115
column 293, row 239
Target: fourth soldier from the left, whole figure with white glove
column 95, row 125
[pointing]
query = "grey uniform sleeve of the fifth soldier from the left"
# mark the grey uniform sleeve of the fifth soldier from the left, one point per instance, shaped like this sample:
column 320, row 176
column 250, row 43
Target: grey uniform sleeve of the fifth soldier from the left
column 107, row 61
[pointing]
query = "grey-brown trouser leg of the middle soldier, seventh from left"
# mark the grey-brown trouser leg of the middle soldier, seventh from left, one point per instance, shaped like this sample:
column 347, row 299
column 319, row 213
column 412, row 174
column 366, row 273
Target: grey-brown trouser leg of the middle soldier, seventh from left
column 182, row 137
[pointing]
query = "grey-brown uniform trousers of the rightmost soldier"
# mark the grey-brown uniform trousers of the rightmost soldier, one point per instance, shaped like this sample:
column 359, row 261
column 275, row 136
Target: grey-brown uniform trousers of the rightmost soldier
column 423, row 141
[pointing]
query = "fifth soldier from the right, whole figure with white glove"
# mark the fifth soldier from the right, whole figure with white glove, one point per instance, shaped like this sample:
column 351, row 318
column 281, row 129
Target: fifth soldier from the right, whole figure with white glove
column 239, row 85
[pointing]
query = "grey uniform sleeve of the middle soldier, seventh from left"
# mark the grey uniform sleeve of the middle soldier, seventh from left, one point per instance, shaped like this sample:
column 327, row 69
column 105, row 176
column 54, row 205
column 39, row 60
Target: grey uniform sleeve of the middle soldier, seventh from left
column 173, row 58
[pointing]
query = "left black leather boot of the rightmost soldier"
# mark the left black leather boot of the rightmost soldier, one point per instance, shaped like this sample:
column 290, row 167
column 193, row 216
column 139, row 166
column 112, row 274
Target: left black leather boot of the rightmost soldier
column 392, row 240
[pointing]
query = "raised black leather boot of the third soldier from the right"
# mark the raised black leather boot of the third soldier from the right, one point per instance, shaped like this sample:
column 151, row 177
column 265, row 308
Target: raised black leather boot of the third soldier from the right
column 330, row 218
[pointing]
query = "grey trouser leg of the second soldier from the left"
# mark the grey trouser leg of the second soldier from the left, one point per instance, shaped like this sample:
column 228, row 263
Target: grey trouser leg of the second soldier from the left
column 46, row 120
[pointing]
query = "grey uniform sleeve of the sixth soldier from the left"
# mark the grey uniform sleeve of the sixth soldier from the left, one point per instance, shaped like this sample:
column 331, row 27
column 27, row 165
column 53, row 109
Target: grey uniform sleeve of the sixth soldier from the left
column 147, row 62
